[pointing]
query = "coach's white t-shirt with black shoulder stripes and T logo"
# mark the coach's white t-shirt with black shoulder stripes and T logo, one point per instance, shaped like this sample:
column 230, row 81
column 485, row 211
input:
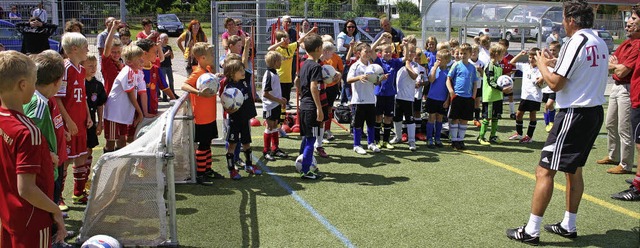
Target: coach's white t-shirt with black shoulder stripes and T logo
column 584, row 62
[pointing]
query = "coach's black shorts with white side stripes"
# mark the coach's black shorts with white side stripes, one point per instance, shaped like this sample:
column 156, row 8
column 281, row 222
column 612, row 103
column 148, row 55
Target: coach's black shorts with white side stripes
column 571, row 138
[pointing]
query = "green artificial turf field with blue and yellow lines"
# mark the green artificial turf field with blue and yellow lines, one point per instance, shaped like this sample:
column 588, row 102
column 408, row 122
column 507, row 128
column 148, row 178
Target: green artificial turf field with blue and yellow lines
column 397, row 198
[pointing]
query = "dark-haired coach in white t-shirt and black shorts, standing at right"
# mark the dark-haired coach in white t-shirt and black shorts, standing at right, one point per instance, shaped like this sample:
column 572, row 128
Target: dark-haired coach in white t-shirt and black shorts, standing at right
column 579, row 80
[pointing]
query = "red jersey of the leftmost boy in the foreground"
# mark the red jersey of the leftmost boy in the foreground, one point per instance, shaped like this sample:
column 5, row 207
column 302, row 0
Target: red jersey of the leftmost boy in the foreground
column 23, row 150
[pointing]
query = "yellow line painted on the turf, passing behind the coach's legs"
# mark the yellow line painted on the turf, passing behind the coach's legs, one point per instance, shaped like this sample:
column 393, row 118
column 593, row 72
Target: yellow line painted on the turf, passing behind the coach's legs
column 556, row 185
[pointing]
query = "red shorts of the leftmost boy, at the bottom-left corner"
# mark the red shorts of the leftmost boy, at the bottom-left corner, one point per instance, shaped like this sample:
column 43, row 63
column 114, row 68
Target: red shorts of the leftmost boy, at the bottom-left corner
column 26, row 239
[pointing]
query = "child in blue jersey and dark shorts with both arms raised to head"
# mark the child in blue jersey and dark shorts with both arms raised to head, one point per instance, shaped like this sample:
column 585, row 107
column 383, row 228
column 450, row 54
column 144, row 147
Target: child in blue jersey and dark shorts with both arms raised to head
column 385, row 94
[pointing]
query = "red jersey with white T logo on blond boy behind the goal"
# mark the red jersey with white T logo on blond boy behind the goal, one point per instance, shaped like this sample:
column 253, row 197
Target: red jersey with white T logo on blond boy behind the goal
column 72, row 93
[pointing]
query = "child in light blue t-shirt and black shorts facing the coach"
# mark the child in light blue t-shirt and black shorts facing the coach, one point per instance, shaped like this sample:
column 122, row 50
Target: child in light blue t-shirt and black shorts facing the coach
column 461, row 83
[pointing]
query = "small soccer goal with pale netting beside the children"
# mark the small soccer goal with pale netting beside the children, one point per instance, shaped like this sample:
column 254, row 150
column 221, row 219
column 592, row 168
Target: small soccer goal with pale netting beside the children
column 132, row 195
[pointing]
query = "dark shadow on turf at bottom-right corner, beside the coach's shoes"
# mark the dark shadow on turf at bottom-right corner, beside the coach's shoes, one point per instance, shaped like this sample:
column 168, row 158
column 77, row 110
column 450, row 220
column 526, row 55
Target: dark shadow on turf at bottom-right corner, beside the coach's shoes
column 612, row 238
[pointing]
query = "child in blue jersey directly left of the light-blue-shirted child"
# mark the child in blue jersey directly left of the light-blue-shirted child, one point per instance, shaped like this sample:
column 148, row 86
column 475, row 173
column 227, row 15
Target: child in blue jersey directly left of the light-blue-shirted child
column 437, row 98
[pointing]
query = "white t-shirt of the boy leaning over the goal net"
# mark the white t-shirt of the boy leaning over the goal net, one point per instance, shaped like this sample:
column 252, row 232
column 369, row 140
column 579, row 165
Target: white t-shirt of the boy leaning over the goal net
column 118, row 108
